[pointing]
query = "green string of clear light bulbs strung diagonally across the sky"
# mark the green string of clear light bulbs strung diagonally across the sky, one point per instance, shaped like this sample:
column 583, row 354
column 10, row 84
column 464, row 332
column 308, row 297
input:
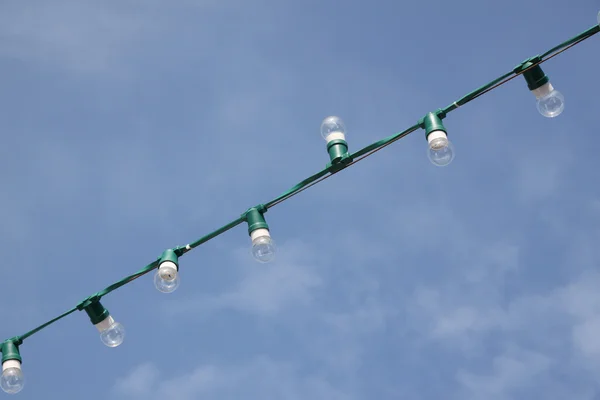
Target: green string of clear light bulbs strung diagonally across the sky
column 167, row 264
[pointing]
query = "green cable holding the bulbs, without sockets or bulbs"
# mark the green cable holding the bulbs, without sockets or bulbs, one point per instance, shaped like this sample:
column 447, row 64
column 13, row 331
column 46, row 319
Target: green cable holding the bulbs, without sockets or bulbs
column 327, row 172
